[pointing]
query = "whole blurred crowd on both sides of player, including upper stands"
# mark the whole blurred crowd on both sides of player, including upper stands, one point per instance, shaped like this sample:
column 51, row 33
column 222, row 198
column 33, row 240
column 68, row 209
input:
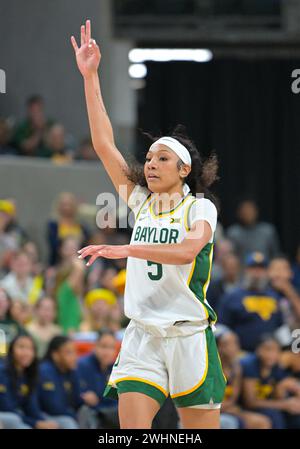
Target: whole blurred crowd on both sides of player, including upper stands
column 61, row 323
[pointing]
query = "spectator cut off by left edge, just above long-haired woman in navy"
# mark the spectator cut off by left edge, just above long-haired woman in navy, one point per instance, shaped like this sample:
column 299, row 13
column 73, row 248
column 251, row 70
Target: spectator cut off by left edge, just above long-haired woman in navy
column 8, row 325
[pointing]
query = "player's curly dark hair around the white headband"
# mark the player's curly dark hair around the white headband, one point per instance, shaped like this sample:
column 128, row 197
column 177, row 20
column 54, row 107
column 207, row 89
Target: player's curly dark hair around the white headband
column 202, row 175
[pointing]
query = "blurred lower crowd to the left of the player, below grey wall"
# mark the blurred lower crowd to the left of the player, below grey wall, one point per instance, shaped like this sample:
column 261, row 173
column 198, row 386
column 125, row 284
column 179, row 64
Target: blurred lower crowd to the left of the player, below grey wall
column 61, row 324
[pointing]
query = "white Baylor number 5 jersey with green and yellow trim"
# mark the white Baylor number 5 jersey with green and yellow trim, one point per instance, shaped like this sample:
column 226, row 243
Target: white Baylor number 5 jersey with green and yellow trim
column 162, row 294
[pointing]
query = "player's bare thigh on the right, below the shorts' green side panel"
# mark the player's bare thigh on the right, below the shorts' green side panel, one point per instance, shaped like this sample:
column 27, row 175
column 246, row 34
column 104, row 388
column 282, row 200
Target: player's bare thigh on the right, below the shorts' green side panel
column 194, row 418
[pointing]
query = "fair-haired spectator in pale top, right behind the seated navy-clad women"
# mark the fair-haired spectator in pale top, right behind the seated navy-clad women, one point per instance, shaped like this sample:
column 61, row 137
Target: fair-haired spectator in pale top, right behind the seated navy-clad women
column 43, row 327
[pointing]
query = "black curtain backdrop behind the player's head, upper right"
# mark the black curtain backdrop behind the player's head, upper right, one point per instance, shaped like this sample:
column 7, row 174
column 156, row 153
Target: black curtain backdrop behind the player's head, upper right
column 246, row 112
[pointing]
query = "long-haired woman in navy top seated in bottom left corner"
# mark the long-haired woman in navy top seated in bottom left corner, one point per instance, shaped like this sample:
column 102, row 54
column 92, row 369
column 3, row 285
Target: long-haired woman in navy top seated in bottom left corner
column 19, row 407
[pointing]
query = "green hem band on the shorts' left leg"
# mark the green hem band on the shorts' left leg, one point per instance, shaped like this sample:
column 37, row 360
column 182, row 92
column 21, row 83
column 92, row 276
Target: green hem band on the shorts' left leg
column 126, row 386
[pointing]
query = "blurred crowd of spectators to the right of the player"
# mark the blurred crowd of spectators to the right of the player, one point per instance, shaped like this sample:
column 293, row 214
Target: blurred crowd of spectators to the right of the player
column 255, row 292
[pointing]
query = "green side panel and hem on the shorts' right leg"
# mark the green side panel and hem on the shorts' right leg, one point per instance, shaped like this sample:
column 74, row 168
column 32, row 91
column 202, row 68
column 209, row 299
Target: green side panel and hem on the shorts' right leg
column 212, row 389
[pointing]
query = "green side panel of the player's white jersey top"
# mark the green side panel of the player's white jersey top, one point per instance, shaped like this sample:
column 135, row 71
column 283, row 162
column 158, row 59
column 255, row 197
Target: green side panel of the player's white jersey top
column 200, row 277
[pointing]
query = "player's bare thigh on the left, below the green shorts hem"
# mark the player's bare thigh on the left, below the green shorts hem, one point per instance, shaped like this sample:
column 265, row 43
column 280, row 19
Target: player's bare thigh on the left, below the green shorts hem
column 136, row 410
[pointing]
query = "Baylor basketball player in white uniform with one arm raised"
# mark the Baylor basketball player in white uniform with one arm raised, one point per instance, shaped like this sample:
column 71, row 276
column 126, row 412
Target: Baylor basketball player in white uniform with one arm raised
column 169, row 346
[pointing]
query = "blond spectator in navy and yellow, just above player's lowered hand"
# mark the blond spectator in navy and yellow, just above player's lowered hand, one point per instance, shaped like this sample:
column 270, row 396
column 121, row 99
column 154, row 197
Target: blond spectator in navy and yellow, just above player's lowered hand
column 65, row 225
